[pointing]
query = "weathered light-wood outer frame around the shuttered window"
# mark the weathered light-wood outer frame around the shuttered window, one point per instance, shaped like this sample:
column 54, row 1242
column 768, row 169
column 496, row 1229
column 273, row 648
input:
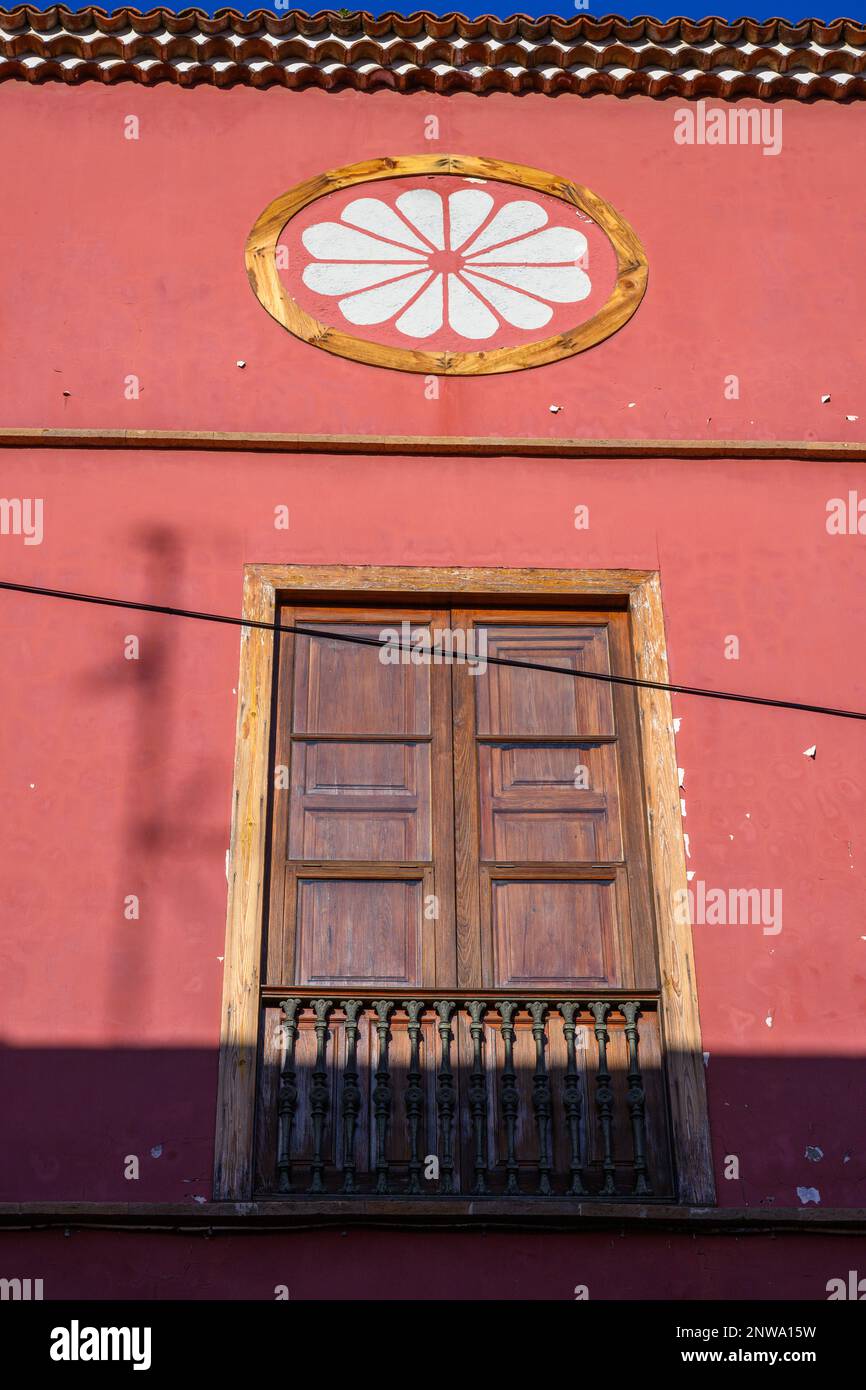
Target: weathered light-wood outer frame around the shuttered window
column 640, row 593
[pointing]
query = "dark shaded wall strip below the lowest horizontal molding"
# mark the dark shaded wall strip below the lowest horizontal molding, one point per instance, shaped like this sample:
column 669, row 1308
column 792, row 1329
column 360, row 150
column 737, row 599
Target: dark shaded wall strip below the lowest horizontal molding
column 389, row 1266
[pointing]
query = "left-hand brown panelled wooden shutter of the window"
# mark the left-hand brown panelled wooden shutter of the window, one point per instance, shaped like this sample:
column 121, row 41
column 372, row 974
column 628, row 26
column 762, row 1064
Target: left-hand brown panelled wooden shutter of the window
column 362, row 889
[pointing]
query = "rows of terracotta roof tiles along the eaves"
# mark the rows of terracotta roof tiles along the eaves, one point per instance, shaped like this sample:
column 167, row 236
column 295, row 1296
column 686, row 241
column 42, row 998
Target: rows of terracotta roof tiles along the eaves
column 685, row 58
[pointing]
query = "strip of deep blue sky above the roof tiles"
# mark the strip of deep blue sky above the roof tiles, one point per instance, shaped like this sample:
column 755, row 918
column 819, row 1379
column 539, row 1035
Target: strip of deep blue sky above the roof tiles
column 790, row 9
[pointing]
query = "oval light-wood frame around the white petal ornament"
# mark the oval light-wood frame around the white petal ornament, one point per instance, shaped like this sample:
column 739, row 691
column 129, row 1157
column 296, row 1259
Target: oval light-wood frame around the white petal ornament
column 270, row 291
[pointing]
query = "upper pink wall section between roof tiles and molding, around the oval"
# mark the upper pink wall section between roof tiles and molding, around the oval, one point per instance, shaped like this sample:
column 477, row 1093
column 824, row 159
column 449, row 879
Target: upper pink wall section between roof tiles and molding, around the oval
column 127, row 256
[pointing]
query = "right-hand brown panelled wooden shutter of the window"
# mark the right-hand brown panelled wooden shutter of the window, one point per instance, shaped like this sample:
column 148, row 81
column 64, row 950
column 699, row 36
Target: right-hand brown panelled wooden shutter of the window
column 553, row 890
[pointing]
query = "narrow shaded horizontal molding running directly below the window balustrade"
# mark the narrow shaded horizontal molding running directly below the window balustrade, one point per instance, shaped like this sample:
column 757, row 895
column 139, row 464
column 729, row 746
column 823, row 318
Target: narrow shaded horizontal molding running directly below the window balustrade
column 455, row 1214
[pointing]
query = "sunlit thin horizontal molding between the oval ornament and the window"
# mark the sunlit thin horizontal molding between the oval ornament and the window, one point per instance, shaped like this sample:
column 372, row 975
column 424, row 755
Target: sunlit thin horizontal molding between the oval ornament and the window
column 480, row 447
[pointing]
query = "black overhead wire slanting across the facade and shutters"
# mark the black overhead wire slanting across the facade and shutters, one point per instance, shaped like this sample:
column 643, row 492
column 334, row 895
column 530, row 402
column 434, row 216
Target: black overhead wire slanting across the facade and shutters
column 372, row 641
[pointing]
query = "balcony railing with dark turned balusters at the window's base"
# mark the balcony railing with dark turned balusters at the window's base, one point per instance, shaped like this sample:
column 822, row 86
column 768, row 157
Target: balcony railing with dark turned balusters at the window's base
column 484, row 1097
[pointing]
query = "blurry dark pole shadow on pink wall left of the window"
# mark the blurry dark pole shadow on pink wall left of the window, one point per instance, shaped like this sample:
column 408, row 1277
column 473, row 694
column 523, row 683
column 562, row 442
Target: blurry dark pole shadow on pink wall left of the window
column 172, row 822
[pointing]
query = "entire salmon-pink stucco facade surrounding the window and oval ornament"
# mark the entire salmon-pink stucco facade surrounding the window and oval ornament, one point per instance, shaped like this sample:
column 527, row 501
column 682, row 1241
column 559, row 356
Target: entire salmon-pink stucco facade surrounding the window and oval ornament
column 127, row 308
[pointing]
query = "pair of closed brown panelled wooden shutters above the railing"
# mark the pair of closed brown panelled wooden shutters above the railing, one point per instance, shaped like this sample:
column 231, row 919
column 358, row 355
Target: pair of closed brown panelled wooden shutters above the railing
column 548, row 846
